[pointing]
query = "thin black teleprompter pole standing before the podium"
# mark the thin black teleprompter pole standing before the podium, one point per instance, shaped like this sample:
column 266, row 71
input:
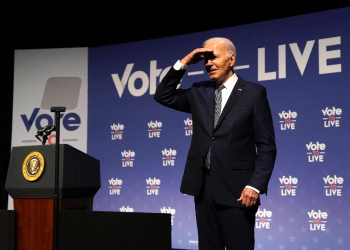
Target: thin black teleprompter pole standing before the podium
column 57, row 110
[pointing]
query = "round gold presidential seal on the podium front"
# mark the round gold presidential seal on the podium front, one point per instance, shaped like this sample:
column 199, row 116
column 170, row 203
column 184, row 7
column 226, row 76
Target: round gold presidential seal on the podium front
column 33, row 166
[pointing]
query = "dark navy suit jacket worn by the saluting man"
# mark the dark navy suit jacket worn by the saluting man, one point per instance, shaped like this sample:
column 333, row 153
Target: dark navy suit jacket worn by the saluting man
column 243, row 148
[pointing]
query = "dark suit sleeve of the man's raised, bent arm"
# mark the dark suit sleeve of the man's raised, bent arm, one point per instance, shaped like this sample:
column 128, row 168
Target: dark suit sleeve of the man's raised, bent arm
column 167, row 94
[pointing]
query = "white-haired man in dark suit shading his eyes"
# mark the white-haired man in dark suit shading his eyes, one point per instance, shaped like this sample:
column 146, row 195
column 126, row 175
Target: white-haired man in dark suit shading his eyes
column 233, row 150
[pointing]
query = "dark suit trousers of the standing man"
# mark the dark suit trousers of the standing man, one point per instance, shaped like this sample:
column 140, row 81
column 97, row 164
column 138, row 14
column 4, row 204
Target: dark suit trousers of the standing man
column 221, row 226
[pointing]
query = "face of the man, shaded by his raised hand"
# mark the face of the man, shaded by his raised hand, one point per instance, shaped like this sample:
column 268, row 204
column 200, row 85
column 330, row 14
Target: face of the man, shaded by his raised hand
column 217, row 64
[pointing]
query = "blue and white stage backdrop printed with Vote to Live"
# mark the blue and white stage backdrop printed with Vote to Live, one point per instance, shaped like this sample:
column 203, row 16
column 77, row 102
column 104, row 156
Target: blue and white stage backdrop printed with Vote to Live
column 303, row 62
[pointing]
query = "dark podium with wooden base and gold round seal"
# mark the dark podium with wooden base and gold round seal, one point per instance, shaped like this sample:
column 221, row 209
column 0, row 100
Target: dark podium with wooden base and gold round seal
column 30, row 182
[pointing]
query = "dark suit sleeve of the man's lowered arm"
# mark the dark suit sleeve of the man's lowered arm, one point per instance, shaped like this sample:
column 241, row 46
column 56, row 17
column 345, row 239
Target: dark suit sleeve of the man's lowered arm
column 265, row 143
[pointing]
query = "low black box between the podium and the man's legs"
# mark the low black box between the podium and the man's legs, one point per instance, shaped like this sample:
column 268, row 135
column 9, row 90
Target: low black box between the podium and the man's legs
column 83, row 230
